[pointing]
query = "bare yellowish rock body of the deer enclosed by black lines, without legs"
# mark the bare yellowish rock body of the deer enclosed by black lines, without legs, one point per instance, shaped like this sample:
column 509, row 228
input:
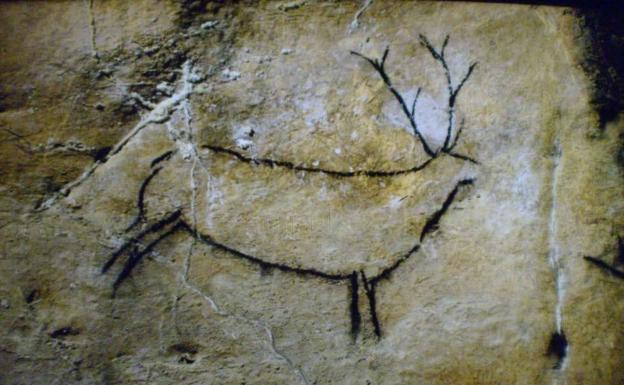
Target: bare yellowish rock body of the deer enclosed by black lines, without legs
column 313, row 220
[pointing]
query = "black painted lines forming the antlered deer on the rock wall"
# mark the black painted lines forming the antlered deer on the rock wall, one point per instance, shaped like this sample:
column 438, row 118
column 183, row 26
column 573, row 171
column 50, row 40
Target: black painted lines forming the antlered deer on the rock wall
column 174, row 222
